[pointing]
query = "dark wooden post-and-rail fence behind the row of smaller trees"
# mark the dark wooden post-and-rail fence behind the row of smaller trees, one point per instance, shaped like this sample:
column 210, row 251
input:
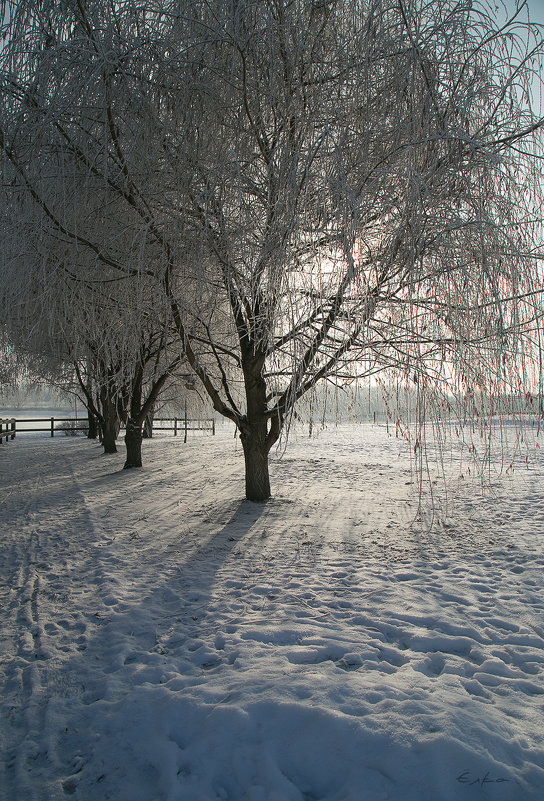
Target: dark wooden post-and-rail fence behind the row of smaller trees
column 179, row 425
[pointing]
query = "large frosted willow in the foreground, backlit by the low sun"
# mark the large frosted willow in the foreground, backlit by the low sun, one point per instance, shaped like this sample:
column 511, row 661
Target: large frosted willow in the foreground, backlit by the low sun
column 320, row 190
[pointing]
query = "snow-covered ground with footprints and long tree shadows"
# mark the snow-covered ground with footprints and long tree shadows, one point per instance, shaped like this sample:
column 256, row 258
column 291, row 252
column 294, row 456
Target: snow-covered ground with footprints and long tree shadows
column 163, row 640
